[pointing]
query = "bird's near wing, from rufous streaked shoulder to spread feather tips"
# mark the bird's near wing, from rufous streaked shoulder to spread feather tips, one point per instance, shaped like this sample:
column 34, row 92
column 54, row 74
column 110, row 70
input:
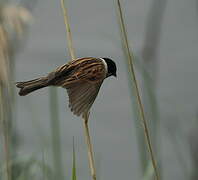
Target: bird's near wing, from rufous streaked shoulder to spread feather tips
column 84, row 84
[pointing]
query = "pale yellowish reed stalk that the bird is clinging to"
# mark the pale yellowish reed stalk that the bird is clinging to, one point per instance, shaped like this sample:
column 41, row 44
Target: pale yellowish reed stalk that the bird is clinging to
column 86, row 115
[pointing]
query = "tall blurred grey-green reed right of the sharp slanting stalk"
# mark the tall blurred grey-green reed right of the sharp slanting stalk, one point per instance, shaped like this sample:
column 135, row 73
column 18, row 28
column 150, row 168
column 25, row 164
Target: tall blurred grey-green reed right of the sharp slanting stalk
column 150, row 74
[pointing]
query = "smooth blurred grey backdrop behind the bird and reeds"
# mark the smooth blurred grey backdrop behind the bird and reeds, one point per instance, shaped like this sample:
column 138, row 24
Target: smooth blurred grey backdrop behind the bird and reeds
column 96, row 33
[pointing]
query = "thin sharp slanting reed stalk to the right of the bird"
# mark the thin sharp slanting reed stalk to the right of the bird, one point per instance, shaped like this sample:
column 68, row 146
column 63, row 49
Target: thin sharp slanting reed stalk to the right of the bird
column 137, row 93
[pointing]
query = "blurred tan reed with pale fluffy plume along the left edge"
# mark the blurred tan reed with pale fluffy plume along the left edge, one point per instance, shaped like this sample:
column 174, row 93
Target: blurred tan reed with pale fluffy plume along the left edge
column 13, row 22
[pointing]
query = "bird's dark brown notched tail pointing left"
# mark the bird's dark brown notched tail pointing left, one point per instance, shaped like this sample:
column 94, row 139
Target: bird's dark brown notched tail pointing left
column 30, row 86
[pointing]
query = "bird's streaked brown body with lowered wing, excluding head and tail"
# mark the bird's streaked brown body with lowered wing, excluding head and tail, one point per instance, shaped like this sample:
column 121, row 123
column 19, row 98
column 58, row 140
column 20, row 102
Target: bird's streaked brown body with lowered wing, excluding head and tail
column 82, row 78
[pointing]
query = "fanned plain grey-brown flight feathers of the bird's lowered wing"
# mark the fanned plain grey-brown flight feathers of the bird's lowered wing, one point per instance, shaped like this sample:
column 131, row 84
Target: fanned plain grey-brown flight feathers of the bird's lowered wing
column 82, row 96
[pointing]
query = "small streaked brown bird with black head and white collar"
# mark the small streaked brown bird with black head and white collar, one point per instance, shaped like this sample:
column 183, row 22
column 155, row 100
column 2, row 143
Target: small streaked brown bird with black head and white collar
column 82, row 78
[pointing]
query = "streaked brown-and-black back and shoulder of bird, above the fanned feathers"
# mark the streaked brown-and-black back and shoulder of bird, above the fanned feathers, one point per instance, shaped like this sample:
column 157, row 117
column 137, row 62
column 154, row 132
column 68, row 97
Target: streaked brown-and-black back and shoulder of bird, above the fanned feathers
column 89, row 68
